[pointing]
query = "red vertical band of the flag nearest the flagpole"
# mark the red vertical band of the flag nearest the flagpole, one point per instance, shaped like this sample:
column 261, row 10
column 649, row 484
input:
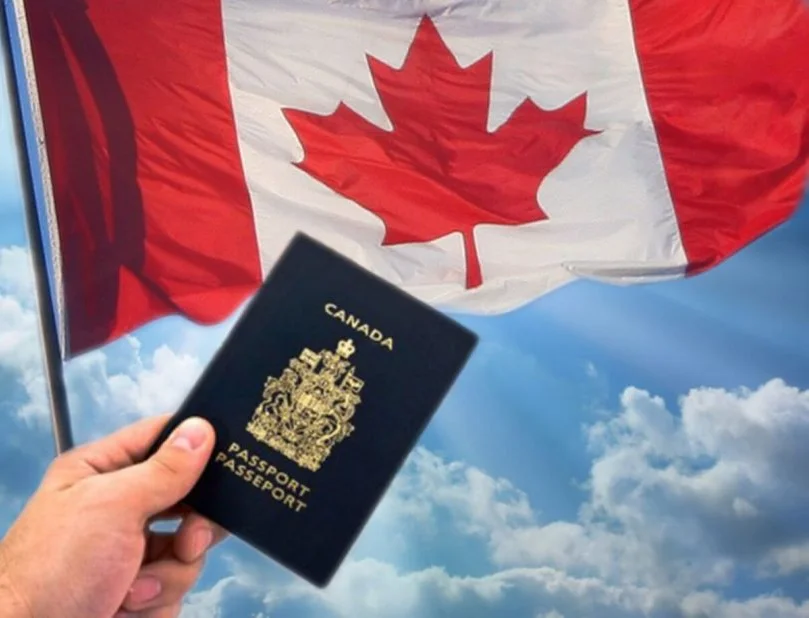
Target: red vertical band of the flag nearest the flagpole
column 153, row 212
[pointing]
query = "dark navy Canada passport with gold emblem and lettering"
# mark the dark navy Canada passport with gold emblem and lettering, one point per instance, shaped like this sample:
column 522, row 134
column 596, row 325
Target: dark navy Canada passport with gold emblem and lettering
column 318, row 394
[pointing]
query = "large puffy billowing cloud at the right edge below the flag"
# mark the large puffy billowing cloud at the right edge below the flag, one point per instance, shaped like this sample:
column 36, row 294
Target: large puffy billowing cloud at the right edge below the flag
column 712, row 486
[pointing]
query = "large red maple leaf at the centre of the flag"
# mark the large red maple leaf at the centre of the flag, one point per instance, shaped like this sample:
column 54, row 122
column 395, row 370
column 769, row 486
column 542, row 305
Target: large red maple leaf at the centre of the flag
column 439, row 170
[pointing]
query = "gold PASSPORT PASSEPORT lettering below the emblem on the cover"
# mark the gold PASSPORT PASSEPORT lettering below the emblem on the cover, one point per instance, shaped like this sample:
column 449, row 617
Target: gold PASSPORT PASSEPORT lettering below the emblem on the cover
column 263, row 476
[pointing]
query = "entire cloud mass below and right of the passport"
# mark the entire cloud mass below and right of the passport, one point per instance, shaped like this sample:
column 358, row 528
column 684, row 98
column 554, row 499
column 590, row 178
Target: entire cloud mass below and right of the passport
column 678, row 503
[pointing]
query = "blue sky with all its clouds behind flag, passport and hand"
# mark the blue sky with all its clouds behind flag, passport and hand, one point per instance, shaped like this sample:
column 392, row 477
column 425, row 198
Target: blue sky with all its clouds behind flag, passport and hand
column 608, row 452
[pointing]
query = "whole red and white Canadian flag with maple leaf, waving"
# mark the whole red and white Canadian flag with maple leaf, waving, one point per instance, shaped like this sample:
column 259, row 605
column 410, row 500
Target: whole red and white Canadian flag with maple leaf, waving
column 477, row 153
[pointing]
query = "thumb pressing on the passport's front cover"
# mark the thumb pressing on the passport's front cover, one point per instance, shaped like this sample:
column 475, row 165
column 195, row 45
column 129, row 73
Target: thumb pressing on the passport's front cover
column 165, row 478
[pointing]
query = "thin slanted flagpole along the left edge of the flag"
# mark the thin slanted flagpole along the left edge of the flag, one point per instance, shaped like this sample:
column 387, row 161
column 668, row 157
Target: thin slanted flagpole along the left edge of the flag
column 49, row 338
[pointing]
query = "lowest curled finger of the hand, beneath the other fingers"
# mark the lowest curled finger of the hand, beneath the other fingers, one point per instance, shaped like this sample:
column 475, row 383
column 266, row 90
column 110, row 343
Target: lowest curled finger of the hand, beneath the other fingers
column 161, row 583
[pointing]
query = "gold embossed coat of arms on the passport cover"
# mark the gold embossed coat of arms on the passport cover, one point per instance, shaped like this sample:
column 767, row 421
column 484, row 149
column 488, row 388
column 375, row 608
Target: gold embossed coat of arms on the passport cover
column 307, row 410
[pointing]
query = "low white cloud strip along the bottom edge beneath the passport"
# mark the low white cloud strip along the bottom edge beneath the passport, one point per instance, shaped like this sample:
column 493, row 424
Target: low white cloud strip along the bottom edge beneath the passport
column 371, row 588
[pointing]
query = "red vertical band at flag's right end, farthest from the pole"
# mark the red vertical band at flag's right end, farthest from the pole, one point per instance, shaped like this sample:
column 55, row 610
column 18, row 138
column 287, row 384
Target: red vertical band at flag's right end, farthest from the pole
column 726, row 83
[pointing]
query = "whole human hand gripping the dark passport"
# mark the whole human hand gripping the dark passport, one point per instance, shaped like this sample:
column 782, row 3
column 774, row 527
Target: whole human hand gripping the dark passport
column 81, row 548
